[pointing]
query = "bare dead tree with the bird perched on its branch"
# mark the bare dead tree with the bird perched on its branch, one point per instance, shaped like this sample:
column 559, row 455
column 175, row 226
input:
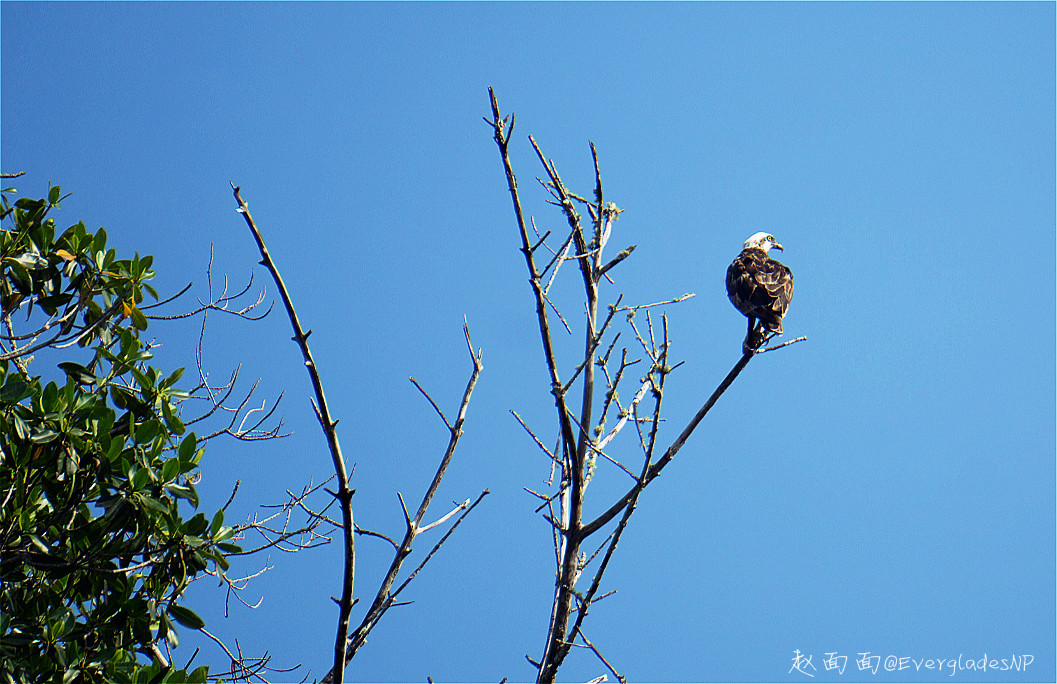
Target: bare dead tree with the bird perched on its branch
column 582, row 434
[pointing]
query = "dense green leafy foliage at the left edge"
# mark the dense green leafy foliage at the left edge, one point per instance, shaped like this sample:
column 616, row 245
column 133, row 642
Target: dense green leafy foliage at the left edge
column 95, row 550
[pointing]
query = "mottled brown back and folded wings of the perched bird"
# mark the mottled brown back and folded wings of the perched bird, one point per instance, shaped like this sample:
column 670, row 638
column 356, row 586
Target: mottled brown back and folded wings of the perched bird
column 761, row 287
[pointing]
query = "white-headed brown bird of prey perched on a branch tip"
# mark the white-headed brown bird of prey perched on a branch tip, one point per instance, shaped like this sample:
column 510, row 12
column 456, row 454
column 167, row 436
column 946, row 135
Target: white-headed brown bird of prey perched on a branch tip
column 761, row 288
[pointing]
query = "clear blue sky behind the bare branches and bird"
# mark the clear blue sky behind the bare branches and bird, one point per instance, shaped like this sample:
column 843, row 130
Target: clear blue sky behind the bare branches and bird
column 886, row 487
